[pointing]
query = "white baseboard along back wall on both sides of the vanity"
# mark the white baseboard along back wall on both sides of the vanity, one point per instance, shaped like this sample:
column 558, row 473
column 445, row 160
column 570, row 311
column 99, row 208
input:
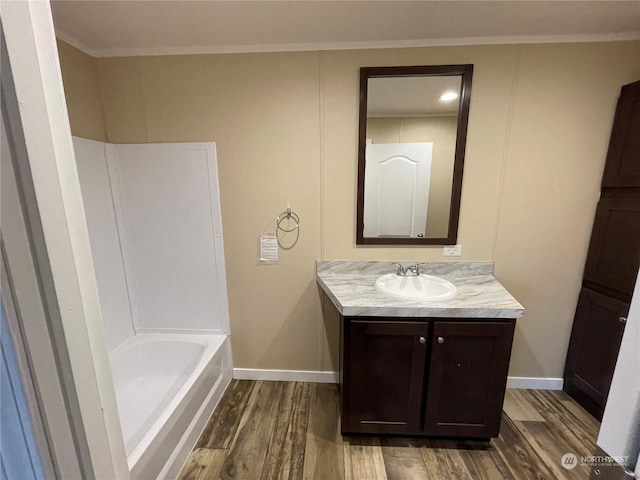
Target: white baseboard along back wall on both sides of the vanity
column 540, row 383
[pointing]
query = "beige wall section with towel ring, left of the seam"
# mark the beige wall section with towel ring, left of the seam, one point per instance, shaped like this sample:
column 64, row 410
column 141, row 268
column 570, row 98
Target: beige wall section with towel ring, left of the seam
column 263, row 113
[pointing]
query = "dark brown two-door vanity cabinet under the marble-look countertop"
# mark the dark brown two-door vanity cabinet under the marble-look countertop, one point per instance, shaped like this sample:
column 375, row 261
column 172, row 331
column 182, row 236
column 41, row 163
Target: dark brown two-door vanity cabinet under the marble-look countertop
column 424, row 376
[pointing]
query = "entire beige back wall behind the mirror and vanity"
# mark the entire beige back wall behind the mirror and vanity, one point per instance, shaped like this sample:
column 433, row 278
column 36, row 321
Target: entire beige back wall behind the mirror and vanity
column 286, row 124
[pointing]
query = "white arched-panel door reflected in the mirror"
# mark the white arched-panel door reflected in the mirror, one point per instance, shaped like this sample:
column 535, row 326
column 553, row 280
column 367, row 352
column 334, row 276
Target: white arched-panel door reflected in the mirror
column 396, row 189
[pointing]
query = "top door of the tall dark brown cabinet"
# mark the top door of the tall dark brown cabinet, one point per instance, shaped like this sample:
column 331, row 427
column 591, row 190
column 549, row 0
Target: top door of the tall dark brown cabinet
column 623, row 159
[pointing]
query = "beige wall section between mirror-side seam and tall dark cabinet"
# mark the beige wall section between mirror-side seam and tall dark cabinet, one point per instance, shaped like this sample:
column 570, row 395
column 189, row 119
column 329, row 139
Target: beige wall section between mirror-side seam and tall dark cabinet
column 561, row 118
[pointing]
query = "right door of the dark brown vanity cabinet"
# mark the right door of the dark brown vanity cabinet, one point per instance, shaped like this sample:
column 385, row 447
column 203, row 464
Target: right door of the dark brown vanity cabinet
column 467, row 378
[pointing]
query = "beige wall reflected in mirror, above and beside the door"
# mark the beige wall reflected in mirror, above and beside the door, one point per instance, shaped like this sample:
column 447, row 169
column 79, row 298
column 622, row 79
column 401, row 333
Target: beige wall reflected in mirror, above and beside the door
column 442, row 131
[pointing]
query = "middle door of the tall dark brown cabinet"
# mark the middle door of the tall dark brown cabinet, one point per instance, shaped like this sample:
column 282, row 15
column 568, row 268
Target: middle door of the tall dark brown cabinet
column 614, row 251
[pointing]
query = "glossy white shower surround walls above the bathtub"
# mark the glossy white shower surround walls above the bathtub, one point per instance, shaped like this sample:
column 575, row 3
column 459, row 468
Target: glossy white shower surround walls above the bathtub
column 156, row 235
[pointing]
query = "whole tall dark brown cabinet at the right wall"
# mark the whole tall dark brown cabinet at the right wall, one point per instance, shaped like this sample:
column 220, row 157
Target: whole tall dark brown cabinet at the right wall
column 611, row 266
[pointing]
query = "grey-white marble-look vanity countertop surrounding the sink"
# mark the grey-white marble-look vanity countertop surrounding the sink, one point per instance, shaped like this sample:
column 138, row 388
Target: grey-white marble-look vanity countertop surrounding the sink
column 350, row 286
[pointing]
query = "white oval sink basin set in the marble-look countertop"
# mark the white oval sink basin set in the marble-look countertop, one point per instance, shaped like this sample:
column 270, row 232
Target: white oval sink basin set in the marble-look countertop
column 421, row 287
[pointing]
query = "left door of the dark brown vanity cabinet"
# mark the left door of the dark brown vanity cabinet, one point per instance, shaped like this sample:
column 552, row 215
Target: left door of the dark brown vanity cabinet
column 384, row 369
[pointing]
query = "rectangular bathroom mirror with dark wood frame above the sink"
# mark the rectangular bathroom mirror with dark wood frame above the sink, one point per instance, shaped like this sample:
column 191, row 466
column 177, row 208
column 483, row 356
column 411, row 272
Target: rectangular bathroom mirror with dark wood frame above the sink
column 412, row 135
